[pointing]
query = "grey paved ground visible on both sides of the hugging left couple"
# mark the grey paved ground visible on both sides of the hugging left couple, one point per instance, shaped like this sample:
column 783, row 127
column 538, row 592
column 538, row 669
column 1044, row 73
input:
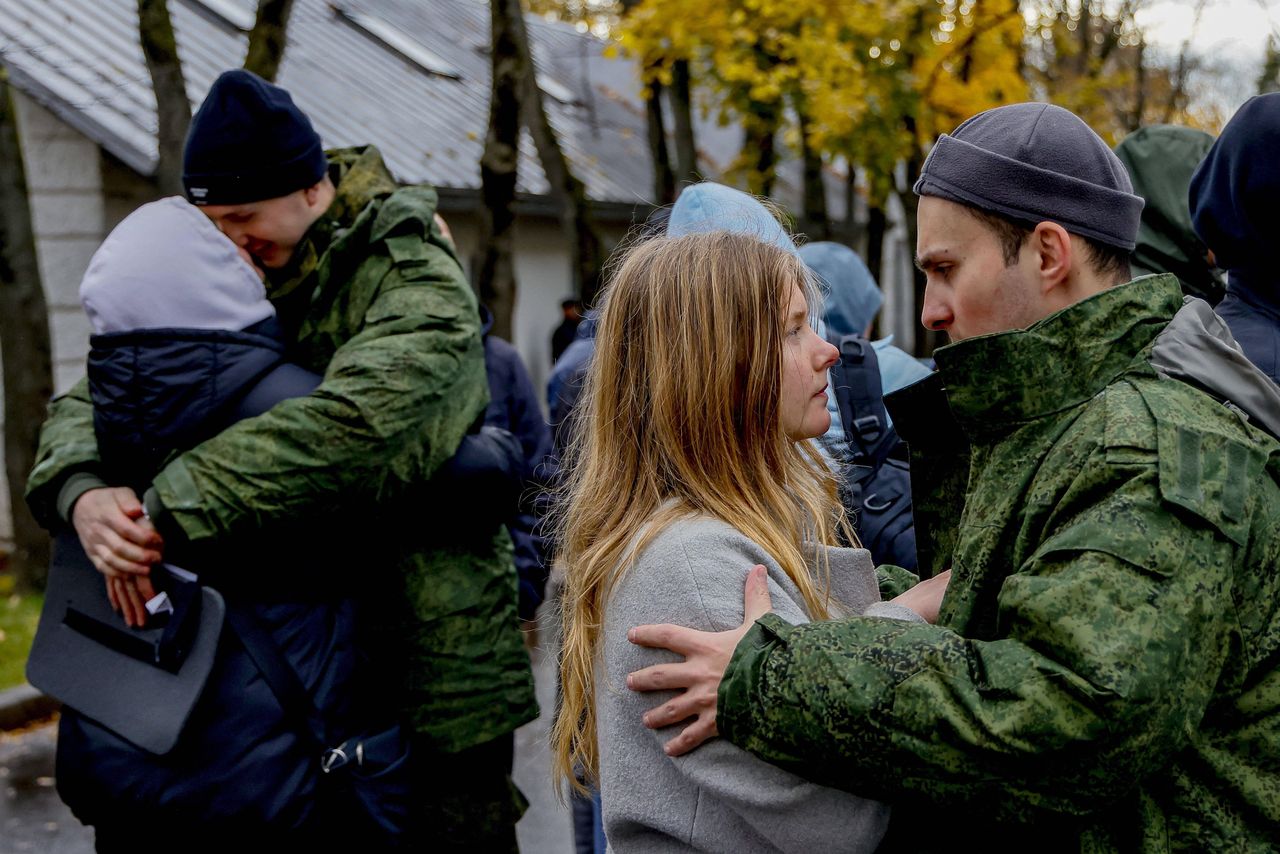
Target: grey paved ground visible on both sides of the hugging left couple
column 33, row 819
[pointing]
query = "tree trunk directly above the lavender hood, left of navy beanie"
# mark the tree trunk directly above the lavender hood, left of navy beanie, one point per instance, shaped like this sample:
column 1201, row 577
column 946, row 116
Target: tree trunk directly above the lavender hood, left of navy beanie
column 173, row 109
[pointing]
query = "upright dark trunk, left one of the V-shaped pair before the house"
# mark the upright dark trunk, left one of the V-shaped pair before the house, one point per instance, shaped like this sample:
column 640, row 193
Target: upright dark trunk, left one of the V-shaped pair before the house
column 496, row 271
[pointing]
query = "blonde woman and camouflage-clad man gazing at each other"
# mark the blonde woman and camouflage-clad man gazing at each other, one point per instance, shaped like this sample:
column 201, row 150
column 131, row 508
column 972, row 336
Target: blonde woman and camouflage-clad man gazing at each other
column 1094, row 663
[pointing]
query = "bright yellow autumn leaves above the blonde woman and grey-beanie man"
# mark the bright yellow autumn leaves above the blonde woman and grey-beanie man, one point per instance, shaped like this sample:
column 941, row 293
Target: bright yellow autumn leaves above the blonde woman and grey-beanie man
column 877, row 80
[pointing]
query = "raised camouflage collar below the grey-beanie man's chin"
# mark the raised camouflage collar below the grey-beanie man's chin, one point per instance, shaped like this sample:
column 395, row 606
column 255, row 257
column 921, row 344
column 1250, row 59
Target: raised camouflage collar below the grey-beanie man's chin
column 1000, row 381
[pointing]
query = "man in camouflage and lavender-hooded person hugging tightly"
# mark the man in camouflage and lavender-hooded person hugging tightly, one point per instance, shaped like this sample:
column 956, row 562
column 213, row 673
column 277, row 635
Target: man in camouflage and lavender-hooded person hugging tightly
column 286, row 373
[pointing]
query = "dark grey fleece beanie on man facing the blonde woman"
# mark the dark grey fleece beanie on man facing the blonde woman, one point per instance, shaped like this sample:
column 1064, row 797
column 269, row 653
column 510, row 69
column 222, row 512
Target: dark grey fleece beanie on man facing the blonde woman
column 1034, row 163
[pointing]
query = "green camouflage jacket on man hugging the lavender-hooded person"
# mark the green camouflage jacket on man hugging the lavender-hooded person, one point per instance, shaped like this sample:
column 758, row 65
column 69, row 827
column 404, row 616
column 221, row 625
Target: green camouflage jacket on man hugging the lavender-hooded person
column 376, row 300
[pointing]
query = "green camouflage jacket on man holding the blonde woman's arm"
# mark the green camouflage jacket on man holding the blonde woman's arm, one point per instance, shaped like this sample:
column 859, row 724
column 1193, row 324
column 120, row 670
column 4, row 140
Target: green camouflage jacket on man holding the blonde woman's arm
column 1105, row 674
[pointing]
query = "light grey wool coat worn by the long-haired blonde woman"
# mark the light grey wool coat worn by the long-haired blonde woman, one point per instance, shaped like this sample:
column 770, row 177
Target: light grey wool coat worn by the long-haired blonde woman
column 717, row 798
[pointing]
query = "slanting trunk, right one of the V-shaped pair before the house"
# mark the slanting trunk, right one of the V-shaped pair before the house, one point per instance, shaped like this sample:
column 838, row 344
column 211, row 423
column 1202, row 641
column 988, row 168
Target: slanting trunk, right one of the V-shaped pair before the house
column 566, row 188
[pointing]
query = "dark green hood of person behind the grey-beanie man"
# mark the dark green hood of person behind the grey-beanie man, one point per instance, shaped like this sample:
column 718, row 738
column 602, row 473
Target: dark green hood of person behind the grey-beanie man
column 1162, row 161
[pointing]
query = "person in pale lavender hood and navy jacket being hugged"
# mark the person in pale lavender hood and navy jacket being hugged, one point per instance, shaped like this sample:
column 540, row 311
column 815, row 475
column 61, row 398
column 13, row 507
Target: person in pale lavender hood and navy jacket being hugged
column 185, row 344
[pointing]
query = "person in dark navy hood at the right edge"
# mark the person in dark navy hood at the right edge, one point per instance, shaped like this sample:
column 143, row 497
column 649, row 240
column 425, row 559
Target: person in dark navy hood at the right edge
column 1233, row 203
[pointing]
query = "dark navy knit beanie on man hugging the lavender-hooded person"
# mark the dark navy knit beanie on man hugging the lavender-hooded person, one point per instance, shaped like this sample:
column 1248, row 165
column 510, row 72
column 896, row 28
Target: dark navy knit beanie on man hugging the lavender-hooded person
column 249, row 143
